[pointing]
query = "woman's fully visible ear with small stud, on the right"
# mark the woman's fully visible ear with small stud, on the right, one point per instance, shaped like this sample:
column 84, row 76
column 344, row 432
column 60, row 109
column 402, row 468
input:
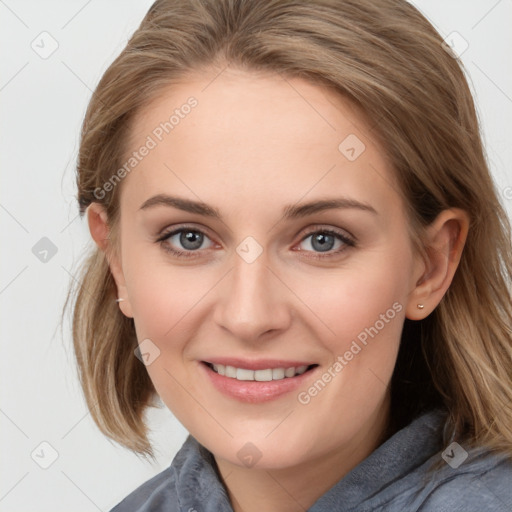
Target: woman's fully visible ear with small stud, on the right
column 446, row 237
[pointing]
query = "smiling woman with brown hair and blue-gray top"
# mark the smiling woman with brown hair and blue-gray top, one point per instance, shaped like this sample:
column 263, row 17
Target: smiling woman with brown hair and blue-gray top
column 300, row 250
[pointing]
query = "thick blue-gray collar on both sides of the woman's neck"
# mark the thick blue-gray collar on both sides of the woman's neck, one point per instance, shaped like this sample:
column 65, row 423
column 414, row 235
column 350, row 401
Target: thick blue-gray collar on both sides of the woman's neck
column 199, row 486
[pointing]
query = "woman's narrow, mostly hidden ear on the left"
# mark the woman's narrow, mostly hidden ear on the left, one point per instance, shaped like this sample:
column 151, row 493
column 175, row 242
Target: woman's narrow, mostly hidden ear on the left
column 100, row 231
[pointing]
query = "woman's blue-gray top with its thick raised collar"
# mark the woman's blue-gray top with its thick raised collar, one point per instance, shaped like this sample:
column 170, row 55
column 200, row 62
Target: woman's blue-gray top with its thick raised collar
column 393, row 478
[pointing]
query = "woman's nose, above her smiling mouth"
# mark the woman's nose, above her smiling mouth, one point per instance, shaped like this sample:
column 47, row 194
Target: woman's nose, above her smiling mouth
column 252, row 301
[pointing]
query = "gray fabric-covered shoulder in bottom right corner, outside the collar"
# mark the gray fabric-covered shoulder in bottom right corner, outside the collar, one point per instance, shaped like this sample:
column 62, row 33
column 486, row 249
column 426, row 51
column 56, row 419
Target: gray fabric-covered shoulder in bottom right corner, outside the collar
column 482, row 482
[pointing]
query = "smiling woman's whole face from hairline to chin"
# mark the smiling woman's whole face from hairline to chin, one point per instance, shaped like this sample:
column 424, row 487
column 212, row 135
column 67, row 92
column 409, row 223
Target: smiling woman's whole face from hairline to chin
column 255, row 282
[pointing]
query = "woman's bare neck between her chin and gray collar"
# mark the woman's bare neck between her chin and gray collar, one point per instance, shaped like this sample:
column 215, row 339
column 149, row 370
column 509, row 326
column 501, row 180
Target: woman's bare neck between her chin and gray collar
column 297, row 488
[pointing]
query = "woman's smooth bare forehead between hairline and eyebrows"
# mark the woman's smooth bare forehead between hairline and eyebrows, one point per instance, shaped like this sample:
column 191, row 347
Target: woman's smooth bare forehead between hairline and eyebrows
column 239, row 138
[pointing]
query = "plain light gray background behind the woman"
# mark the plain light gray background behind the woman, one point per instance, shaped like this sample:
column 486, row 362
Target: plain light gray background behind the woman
column 42, row 104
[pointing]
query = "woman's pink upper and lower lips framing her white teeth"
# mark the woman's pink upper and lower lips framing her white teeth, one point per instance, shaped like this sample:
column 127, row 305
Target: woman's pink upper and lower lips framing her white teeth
column 254, row 391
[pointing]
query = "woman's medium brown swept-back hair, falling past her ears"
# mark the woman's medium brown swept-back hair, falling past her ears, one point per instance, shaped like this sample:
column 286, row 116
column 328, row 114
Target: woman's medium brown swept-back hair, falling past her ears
column 388, row 60
